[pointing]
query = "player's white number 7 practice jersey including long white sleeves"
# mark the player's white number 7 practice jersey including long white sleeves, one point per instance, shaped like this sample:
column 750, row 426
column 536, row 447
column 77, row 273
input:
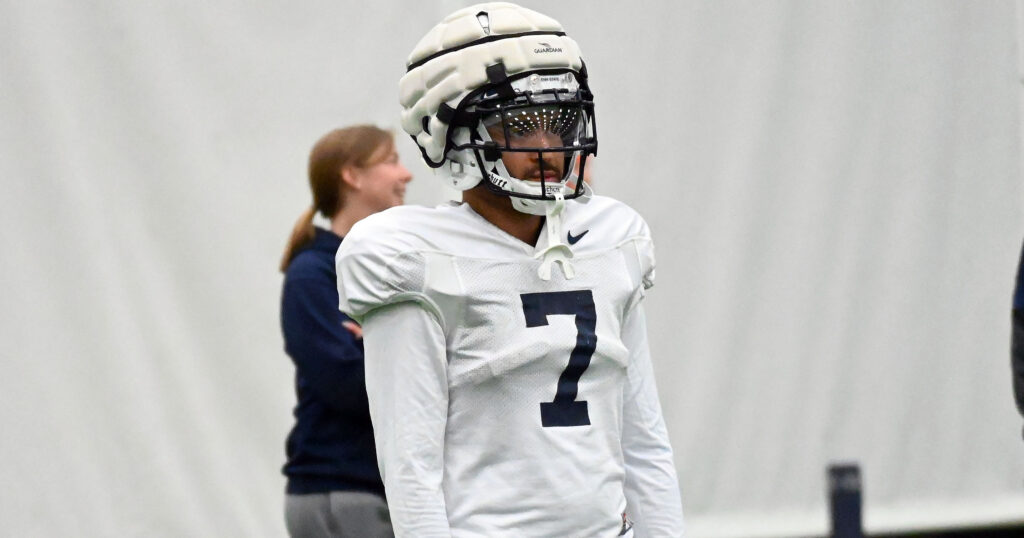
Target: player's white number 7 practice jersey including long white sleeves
column 527, row 419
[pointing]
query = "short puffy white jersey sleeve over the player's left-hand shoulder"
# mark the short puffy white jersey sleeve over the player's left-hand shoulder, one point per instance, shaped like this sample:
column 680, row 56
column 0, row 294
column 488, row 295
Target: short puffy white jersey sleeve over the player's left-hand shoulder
column 378, row 266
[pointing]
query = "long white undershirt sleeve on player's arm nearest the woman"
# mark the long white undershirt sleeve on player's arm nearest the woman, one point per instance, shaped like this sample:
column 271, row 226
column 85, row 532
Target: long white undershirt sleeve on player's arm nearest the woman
column 407, row 386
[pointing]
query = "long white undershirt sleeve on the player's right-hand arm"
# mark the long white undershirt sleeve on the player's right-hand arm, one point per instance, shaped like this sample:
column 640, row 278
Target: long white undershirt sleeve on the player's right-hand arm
column 653, row 495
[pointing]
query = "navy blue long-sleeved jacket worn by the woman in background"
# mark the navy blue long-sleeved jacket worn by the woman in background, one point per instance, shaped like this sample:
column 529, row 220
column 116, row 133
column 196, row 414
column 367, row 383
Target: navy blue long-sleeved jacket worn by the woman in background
column 331, row 447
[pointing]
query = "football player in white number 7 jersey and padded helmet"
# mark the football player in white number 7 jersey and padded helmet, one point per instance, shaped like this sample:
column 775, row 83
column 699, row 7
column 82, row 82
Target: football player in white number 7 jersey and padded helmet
column 507, row 364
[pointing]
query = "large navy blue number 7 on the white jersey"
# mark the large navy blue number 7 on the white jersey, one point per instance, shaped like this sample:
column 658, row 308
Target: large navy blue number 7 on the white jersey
column 565, row 410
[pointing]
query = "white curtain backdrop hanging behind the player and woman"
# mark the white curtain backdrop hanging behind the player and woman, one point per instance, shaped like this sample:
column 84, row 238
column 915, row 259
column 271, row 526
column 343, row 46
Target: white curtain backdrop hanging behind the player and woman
column 834, row 189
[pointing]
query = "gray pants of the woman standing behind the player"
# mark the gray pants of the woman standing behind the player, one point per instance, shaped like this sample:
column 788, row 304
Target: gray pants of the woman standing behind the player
column 337, row 515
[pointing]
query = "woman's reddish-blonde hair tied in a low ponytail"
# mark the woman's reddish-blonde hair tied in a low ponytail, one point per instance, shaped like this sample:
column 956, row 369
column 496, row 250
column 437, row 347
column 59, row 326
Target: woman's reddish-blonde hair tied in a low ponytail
column 351, row 147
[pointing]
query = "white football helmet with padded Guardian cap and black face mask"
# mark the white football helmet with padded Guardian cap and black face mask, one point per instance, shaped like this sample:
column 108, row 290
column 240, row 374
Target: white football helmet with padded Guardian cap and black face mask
column 498, row 78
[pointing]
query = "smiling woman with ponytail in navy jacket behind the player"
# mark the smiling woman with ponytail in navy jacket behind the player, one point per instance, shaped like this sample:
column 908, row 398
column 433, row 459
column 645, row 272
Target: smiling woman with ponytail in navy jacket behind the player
column 334, row 487
